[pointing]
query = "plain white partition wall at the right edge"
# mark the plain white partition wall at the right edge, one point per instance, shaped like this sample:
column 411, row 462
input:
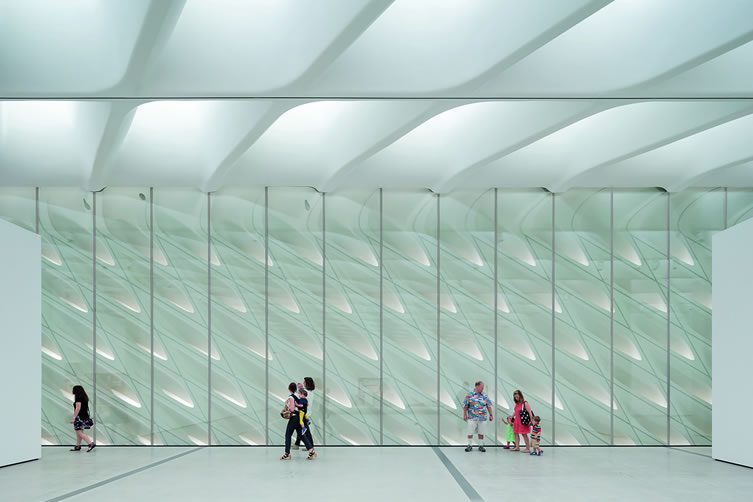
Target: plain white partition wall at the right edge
column 732, row 344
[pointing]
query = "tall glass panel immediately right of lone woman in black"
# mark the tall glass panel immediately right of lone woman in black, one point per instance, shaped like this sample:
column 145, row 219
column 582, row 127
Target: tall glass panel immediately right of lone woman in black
column 123, row 316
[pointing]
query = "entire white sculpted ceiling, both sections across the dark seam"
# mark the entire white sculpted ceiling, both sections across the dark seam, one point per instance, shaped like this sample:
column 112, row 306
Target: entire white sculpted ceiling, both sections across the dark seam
column 442, row 94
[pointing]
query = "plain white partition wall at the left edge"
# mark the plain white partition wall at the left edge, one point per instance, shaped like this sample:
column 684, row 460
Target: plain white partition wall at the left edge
column 20, row 344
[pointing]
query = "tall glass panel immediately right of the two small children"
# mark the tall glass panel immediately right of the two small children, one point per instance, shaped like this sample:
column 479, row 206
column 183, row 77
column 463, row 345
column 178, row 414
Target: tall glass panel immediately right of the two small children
column 582, row 326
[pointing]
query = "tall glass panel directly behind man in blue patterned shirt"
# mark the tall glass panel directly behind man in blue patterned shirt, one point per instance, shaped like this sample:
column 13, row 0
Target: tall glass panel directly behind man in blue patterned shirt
column 466, row 305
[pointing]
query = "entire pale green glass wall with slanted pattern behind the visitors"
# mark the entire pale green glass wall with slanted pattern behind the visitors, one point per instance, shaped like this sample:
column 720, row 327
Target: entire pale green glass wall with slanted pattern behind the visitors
column 185, row 314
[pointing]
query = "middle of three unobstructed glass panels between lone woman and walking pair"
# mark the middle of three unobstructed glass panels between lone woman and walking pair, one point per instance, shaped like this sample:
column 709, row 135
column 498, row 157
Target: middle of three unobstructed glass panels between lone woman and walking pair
column 181, row 337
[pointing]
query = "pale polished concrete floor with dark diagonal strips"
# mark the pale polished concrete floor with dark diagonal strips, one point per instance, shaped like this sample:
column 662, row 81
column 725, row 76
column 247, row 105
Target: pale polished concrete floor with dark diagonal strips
column 366, row 474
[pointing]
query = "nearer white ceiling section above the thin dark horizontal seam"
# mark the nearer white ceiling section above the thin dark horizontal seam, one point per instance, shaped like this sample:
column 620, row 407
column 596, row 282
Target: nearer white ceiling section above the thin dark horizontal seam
column 335, row 48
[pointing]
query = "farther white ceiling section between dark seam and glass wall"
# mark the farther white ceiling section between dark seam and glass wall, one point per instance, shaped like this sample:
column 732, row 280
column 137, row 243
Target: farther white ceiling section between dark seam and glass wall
column 332, row 145
